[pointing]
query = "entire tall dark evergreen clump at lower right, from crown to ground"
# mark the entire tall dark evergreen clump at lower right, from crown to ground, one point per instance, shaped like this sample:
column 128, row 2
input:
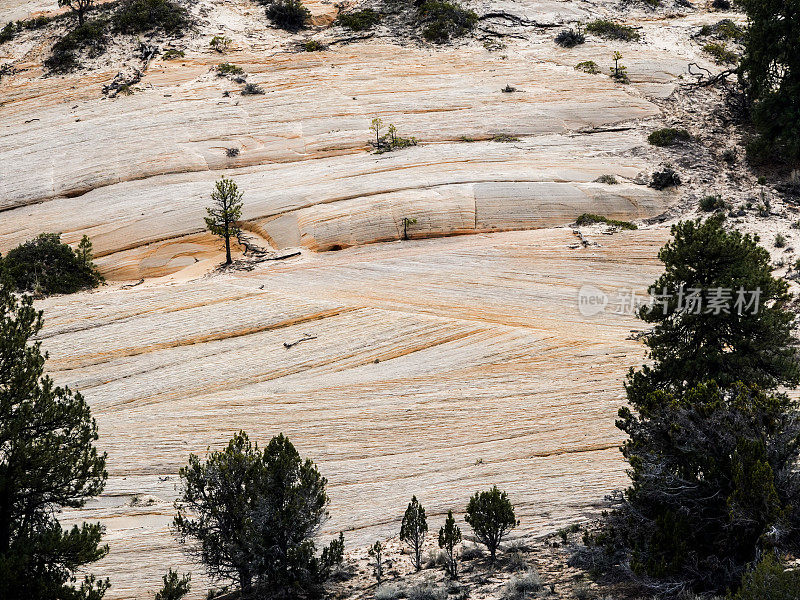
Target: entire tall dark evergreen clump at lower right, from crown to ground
column 712, row 450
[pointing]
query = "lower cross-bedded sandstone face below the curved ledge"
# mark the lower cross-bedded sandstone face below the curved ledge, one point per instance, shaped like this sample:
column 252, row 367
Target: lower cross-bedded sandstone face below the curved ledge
column 482, row 355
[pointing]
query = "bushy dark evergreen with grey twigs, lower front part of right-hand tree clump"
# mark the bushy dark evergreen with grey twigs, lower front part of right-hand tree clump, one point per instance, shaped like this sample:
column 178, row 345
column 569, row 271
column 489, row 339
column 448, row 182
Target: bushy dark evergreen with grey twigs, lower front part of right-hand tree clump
column 708, row 489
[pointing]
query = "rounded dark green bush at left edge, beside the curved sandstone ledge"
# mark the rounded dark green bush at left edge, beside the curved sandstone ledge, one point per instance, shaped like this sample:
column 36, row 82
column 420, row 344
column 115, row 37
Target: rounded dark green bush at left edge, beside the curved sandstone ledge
column 46, row 266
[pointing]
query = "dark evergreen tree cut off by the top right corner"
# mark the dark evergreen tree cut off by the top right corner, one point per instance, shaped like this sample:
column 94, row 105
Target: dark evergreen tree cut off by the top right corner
column 770, row 71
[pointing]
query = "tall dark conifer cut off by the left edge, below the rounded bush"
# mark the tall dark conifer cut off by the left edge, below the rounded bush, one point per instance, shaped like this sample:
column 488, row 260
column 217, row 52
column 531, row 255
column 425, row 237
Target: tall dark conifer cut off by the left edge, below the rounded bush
column 48, row 461
